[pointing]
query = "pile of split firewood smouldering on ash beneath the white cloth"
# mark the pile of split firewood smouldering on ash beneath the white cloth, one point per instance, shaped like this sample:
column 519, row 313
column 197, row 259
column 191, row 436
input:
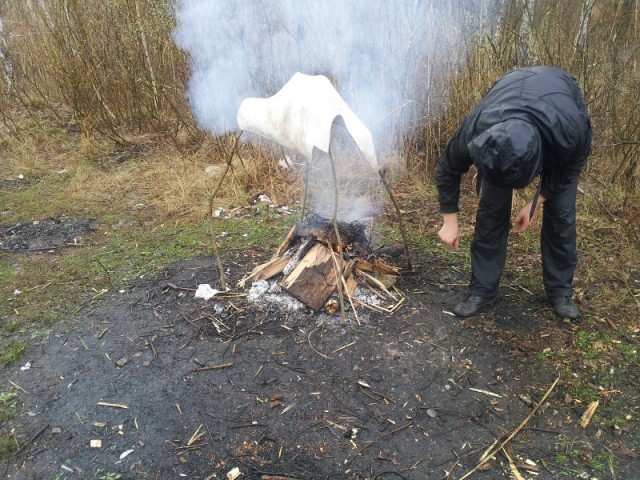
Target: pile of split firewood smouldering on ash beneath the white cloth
column 319, row 260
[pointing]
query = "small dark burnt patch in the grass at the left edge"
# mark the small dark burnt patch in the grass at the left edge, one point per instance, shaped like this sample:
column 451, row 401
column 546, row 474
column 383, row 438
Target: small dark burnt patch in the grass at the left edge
column 45, row 235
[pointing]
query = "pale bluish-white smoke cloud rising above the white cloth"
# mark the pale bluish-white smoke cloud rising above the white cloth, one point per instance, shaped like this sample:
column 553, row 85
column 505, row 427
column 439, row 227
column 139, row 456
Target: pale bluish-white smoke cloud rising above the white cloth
column 381, row 55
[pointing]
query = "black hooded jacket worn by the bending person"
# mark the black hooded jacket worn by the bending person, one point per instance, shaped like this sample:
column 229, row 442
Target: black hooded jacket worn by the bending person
column 548, row 98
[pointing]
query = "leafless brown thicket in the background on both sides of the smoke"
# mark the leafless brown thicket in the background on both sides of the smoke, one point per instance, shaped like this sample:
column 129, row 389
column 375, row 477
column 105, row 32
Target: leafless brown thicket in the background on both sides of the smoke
column 113, row 65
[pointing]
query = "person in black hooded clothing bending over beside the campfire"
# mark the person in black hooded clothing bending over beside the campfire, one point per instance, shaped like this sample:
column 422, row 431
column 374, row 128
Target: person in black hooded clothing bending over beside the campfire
column 532, row 123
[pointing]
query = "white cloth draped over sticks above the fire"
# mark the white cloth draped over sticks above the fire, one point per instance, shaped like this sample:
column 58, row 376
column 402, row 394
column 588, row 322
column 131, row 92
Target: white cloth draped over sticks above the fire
column 300, row 116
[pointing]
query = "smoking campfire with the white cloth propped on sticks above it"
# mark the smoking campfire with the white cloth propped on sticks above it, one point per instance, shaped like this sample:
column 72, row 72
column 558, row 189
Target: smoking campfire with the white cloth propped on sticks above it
column 327, row 263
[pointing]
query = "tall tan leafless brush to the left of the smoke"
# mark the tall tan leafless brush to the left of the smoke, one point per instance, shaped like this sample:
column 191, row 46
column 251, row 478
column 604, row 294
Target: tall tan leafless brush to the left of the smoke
column 112, row 62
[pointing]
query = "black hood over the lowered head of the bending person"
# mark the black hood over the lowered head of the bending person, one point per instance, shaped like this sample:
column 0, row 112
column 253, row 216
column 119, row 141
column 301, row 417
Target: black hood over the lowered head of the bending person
column 508, row 154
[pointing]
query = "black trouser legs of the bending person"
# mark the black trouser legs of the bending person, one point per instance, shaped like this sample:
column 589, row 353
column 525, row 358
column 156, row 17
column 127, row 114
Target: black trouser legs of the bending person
column 557, row 241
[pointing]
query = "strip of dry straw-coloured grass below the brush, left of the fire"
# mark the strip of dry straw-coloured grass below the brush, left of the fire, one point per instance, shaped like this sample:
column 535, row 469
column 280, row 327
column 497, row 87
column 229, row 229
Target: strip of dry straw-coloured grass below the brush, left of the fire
column 162, row 176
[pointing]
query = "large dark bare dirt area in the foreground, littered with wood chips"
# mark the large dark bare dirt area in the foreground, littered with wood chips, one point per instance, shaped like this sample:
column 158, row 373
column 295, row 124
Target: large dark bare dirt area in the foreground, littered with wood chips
column 151, row 383
